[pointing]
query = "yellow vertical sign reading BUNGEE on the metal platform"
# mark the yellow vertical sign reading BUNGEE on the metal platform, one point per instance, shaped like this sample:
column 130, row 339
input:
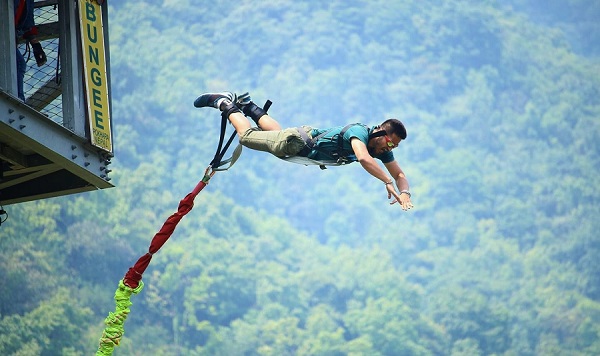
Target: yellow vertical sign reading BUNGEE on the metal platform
column 96, row 77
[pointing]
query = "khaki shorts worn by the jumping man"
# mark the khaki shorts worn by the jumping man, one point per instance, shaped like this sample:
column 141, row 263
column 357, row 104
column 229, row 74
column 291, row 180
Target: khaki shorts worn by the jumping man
column 282, row 143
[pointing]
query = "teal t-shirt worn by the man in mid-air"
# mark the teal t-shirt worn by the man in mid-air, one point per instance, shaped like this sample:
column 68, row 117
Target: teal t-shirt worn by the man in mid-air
column 327, row 145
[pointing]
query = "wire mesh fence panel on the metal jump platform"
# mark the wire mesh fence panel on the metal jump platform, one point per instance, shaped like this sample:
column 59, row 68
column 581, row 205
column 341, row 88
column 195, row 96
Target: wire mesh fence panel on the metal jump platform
column 42, row 84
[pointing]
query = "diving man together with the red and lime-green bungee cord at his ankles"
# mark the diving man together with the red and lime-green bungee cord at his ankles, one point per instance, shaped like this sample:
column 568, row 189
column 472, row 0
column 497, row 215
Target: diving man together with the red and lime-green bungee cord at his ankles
column 305, row 145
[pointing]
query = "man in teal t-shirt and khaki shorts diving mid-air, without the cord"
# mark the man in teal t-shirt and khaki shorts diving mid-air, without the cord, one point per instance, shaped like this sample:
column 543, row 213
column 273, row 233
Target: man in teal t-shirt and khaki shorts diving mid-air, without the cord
column 324, row 147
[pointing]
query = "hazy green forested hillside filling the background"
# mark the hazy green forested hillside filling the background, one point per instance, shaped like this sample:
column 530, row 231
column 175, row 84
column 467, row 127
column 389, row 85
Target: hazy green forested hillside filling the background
column 500, row 255
